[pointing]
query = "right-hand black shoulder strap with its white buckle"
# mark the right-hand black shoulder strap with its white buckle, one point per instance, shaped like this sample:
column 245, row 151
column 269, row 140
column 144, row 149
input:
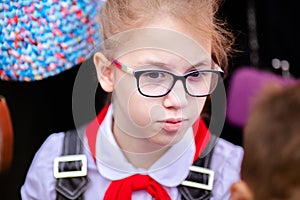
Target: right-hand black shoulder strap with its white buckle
column 199, row 182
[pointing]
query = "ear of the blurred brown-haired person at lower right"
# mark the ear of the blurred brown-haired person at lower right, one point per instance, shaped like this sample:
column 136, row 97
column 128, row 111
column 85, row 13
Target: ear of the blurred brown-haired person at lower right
column 241, row 191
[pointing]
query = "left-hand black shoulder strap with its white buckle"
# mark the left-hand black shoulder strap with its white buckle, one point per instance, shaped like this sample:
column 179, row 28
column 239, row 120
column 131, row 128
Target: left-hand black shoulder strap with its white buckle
column 70, row 169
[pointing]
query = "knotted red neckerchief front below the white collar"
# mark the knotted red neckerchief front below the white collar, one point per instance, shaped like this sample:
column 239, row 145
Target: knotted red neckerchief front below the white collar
column 122, row 189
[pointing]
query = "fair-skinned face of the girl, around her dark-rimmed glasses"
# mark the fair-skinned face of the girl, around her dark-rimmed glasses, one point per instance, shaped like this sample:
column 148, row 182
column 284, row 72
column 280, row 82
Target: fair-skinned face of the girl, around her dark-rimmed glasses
column 158, row 121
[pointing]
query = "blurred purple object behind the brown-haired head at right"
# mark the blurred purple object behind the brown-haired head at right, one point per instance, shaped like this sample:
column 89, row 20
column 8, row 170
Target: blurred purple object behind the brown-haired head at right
column 244, row 86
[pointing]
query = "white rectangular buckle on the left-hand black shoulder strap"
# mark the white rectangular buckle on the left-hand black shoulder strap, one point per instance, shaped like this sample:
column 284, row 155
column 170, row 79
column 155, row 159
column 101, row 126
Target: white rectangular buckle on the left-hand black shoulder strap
column 70, row 158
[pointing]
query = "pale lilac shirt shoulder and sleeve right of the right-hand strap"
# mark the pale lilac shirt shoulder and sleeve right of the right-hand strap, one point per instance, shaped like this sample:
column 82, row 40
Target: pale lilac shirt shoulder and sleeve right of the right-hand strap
column 226, row 163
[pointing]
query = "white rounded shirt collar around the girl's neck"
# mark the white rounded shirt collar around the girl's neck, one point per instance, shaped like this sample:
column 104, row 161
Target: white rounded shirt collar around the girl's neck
column 170, row 170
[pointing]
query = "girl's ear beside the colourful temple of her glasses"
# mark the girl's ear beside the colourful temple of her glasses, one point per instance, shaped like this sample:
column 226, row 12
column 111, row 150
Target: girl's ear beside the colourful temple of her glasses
column 105, row 73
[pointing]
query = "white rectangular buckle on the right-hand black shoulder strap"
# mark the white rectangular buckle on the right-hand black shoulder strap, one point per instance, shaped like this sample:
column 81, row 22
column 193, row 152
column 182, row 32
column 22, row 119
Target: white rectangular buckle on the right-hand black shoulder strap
column 202, row 170
